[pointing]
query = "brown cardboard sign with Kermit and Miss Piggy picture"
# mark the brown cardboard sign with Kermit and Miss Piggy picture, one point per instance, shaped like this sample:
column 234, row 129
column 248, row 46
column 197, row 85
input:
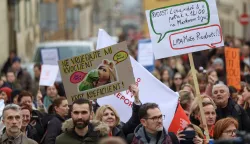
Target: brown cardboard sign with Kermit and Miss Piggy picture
column 97, row 74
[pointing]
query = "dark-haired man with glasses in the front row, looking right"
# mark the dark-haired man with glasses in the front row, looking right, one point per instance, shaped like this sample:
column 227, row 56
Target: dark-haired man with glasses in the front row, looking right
column 151, row 130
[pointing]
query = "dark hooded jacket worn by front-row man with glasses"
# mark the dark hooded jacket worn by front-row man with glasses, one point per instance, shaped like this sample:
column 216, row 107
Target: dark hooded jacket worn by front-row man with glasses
column 140, row 137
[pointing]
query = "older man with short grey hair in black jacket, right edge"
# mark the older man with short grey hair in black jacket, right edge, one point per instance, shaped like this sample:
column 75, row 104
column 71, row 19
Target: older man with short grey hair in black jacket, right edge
column 226, row 107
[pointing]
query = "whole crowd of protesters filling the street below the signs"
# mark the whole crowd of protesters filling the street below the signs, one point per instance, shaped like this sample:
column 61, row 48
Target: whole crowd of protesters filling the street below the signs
column 34, row 114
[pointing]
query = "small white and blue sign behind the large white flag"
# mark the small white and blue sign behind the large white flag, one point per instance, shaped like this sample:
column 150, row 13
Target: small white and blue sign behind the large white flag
column 145, row 54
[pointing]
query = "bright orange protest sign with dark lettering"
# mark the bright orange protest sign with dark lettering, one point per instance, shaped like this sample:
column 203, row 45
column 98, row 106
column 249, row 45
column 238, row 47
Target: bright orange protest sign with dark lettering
column 232, row 56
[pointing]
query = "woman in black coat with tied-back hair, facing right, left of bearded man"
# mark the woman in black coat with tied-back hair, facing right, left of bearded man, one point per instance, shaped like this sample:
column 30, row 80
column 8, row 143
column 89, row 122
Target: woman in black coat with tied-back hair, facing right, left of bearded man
column 60, row 108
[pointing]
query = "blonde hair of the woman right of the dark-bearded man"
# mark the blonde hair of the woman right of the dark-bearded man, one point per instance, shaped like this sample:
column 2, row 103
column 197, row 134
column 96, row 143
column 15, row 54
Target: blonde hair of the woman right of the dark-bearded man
column 100, row 112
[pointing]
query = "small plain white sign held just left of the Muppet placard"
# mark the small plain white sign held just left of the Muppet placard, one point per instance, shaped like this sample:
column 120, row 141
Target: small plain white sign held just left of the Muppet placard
column 48, row 75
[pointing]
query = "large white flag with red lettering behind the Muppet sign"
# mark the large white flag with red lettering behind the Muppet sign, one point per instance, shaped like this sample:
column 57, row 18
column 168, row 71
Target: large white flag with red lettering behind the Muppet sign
column 150, row 90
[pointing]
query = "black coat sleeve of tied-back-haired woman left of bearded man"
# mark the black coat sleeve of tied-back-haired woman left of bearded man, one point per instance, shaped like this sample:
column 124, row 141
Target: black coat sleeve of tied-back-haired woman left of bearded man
column 53, row 130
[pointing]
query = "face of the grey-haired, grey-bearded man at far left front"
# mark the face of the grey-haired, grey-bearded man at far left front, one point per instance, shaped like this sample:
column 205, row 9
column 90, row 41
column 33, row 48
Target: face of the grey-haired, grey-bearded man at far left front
column 12, row 121
